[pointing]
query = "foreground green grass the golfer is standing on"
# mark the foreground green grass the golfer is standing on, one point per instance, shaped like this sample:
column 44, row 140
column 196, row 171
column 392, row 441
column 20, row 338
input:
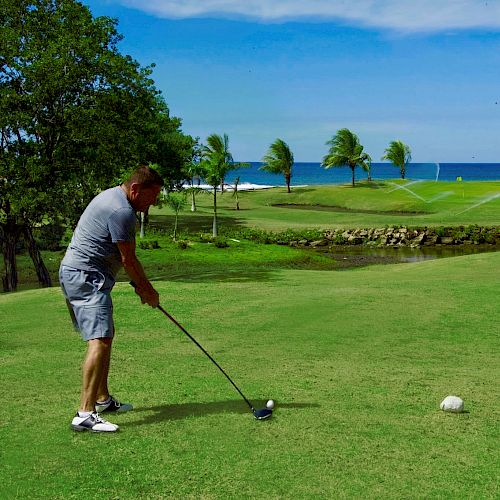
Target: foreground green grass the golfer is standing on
column 357, row 361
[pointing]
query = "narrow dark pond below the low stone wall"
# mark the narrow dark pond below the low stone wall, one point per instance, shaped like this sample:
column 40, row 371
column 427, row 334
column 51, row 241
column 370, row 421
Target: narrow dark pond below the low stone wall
column 348, row 256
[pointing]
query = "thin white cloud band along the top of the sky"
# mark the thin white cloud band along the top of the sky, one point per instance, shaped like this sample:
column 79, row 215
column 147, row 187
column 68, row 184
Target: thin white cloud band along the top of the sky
column 398, row 15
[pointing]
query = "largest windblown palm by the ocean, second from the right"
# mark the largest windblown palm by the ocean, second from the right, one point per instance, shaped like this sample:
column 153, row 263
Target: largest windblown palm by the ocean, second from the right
column 346, row 151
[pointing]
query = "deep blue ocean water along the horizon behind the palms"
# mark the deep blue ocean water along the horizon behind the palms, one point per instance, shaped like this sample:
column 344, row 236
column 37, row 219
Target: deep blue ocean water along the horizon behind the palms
column 314, row 174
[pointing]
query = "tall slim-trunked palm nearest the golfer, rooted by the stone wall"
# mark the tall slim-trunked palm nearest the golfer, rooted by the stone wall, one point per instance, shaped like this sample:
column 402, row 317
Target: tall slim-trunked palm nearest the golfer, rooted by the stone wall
column 217, row 161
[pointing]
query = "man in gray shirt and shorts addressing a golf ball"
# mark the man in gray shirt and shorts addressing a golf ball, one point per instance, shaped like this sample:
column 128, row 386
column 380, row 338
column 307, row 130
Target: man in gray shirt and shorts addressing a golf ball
column 103, row 242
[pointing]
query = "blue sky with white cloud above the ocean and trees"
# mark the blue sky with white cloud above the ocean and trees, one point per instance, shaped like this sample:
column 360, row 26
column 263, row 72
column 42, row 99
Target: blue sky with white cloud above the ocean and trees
column 426, row 72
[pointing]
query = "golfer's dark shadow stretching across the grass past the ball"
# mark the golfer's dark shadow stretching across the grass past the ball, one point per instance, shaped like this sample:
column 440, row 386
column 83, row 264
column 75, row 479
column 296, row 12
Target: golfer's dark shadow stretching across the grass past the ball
column 179, row 411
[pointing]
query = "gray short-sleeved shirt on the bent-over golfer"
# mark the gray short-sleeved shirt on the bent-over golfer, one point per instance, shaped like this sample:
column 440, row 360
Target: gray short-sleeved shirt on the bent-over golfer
column 108, row 218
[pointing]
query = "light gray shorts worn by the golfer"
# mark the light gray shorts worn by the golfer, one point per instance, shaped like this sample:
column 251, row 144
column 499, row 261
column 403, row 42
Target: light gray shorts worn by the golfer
column 89, row 295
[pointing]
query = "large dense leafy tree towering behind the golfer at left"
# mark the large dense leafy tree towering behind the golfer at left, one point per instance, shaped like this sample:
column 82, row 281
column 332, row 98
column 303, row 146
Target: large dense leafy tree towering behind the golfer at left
column 75, row 115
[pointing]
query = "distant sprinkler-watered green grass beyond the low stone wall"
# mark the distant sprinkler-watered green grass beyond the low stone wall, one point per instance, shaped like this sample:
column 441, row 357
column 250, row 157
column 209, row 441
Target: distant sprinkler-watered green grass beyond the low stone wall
column 432, row 204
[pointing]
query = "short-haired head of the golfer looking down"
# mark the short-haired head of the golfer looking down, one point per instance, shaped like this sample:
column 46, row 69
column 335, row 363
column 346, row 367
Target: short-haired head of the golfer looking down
column 143, row 187
